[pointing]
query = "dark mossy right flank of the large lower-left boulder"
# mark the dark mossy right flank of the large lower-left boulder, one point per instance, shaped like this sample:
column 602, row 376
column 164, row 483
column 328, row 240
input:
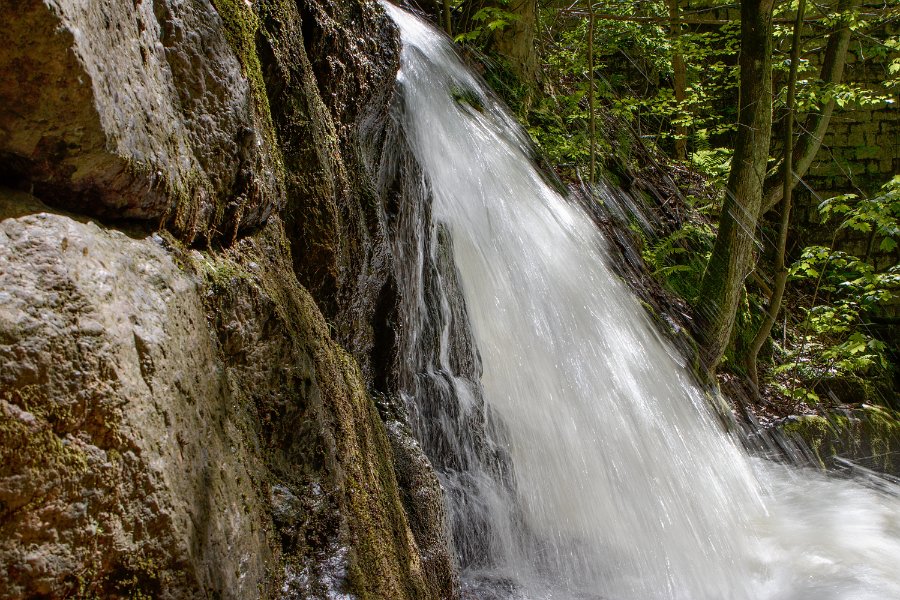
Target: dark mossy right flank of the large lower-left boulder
column 322, row 436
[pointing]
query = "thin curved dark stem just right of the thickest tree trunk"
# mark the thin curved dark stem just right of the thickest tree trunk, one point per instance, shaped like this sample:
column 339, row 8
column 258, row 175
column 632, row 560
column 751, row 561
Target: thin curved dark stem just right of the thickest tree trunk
column 788, row 182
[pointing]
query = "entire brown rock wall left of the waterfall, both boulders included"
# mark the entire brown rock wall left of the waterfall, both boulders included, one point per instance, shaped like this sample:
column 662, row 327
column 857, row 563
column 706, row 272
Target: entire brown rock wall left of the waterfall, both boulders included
column 176, row 417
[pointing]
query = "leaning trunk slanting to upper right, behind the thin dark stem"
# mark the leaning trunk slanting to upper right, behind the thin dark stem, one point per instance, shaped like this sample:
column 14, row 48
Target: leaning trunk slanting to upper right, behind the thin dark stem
column 816, row 125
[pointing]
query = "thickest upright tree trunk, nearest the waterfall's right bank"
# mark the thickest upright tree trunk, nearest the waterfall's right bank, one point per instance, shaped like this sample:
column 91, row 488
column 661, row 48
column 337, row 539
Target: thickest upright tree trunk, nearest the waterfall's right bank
column 730, row 261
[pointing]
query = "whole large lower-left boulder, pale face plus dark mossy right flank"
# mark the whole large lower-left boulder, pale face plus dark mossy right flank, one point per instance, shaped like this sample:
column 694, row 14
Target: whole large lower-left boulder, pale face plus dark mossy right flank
column 181, row 424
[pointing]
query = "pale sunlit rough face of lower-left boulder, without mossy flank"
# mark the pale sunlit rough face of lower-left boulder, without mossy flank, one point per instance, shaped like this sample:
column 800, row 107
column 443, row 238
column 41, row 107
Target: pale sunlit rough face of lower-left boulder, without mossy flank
column 123, row 464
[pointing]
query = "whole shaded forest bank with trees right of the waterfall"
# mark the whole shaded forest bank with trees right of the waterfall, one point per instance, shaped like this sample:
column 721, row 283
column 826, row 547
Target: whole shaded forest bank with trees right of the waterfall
column 689, row 106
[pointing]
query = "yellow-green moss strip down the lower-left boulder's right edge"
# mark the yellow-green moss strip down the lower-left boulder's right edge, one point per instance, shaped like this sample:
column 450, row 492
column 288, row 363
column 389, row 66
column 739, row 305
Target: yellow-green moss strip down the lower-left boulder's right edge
column 382, row 561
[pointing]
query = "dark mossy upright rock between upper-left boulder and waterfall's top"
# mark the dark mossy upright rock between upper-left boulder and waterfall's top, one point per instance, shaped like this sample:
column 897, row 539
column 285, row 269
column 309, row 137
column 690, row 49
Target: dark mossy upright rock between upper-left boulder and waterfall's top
column 329, row 71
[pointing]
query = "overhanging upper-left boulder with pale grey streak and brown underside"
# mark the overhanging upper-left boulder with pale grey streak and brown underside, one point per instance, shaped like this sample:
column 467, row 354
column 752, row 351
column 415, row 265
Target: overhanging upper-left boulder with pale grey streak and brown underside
column 136, row 110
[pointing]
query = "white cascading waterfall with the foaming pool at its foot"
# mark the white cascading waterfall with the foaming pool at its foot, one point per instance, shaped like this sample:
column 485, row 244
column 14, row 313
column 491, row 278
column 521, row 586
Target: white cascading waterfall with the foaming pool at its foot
column 601, row 472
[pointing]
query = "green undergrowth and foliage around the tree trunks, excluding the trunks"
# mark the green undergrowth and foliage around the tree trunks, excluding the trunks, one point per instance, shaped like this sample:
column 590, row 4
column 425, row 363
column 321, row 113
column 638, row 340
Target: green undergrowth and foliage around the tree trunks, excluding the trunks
column 832, row 345
